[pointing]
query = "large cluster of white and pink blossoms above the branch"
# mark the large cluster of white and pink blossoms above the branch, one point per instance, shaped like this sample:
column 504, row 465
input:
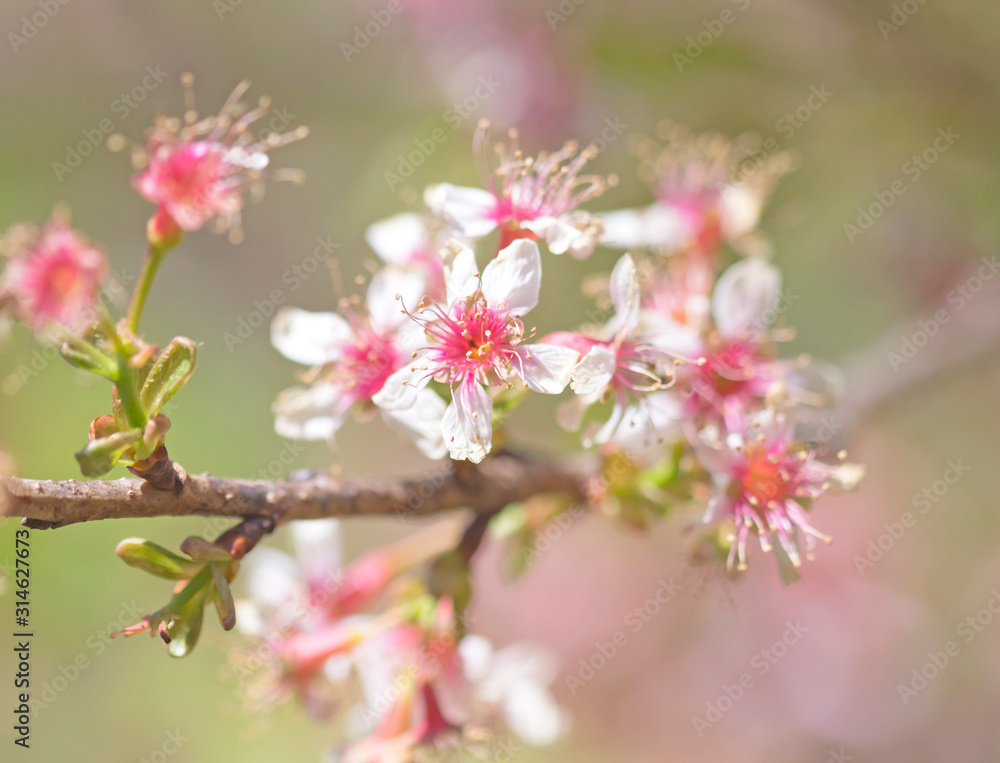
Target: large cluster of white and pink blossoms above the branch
column 679, row 366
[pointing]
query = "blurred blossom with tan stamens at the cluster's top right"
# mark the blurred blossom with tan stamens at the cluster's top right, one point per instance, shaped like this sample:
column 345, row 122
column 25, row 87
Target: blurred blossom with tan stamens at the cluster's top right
column 707, row 194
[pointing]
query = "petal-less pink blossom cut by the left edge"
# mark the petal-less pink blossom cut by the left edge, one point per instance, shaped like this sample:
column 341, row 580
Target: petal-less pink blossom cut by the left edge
column 52, row 276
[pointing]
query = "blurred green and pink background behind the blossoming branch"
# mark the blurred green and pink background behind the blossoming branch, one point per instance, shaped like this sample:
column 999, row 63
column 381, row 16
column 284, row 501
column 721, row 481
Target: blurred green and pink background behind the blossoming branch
column 835, row 692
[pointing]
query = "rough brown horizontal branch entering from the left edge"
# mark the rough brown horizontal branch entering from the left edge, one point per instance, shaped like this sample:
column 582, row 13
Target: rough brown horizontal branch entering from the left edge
column 502, row 479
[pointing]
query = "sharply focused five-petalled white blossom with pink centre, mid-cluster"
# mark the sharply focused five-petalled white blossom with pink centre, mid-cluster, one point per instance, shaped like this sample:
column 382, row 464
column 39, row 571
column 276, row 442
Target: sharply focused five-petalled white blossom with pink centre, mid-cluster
column 477, row 338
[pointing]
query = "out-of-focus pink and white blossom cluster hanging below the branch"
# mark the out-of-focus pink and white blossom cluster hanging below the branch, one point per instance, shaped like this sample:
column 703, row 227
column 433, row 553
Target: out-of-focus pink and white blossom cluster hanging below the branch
column 393, row 664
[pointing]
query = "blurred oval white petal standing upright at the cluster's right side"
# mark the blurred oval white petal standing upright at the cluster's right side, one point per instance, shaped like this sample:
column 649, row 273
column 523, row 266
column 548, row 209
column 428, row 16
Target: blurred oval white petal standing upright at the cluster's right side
column 744, row 296
